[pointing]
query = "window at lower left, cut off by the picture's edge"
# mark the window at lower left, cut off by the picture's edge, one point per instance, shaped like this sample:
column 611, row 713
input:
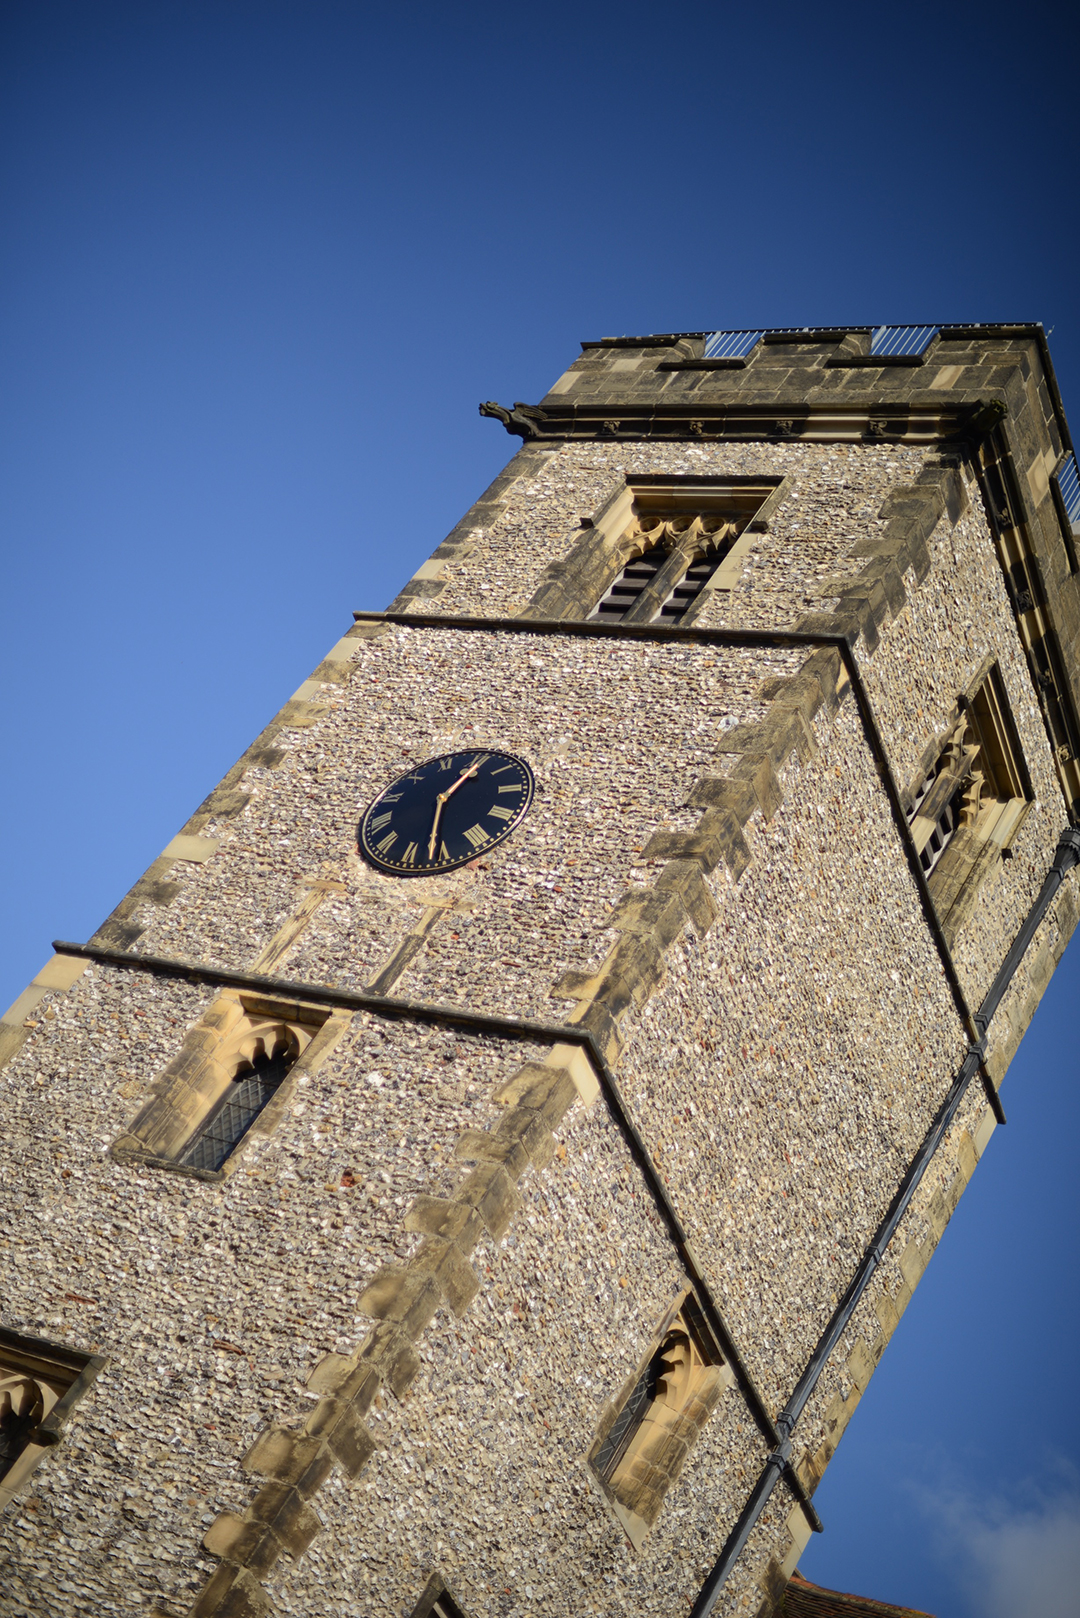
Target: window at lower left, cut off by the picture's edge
column 40, row 1386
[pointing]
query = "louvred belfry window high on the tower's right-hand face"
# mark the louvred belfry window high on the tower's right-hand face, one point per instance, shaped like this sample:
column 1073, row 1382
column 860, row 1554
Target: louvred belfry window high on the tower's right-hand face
column 969, row 802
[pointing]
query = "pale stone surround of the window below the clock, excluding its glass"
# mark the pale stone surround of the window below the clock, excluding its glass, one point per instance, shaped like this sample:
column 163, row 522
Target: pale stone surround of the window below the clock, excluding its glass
column 224, row 1040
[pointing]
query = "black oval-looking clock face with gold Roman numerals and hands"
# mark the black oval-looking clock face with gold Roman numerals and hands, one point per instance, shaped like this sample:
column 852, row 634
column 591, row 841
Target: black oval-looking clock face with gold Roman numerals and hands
column 446, row 813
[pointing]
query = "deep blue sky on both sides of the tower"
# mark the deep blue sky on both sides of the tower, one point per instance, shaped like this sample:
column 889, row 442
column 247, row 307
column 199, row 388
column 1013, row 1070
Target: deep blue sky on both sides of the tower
column 260, row 263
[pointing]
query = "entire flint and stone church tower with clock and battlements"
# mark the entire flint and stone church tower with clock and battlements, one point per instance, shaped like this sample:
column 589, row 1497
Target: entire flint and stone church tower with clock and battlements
column 503, row 1214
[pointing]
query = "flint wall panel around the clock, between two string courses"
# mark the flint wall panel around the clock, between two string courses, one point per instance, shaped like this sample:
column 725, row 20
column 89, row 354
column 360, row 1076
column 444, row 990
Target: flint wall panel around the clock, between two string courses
column 618, row 735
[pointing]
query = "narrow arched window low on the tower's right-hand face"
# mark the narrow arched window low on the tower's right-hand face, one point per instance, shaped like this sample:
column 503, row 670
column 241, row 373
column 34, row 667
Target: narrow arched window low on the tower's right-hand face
column 647, row 1439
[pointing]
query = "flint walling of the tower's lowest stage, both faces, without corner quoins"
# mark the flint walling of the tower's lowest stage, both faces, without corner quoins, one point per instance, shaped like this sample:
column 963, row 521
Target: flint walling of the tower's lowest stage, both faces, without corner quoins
column 215, row 1302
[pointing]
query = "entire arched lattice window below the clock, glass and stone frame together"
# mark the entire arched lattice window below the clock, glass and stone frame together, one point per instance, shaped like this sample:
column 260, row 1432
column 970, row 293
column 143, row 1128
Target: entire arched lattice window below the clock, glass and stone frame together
column 229, row 1080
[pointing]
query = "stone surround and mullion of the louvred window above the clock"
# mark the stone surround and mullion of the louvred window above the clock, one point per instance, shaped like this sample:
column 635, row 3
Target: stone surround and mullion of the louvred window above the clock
column 687, row 509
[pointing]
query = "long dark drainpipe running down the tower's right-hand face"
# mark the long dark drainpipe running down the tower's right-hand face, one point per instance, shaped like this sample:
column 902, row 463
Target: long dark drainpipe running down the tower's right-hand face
column 1066, row 858
